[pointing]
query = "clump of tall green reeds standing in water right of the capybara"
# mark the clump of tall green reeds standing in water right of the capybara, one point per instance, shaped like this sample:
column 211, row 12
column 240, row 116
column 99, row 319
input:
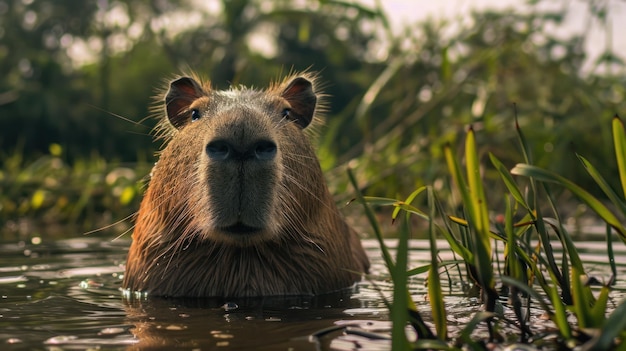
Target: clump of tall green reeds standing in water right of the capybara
column 529, row 230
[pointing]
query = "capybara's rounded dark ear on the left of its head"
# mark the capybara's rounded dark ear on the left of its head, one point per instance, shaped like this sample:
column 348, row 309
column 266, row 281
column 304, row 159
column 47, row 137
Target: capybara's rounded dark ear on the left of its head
column 183, row 91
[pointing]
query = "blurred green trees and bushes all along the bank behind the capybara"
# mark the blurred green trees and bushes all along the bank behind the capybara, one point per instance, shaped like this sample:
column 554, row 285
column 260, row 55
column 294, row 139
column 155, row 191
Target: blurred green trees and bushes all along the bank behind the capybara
column 76, row 133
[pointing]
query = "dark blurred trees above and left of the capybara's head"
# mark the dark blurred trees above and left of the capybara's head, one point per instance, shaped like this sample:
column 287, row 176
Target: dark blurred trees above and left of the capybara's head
column 72, row 67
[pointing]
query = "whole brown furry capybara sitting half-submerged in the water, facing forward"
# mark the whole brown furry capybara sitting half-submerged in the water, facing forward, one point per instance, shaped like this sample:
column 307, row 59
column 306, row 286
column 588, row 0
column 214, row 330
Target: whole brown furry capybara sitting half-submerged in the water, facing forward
column 186, row 240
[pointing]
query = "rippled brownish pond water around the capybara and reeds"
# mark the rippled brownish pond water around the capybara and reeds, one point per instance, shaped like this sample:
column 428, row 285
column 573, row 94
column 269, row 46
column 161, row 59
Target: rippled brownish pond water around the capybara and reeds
column 65, row 295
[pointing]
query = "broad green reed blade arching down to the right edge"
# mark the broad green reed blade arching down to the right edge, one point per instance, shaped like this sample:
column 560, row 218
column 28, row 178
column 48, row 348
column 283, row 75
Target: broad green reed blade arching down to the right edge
column 592, row 202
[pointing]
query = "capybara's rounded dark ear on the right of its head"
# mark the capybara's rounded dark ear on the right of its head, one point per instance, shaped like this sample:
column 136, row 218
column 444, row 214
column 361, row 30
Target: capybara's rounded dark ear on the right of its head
column 299, row 93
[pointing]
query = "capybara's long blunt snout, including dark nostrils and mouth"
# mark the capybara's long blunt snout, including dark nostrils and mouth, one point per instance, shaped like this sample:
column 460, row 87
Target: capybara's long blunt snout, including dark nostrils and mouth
column 240, row 171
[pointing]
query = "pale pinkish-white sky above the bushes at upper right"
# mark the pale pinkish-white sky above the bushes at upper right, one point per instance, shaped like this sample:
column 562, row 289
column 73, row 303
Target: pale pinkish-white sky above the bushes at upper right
column 406, row 12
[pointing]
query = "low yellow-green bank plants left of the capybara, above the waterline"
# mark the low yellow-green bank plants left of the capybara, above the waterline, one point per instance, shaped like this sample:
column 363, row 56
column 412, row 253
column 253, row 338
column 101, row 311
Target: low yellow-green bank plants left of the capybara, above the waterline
column 49, row 196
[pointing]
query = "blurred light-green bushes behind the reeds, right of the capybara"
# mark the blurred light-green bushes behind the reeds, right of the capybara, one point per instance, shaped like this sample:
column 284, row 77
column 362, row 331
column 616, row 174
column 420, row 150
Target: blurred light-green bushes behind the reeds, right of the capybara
column 439, row 86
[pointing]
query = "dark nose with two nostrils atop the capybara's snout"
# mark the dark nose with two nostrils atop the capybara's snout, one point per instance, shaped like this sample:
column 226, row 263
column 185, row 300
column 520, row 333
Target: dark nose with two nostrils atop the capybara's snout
column 223, row 150
